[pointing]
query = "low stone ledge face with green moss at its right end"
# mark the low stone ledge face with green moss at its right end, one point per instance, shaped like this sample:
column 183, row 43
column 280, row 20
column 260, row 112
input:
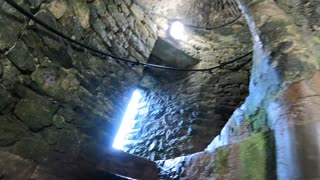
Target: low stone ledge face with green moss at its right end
column 252, row 159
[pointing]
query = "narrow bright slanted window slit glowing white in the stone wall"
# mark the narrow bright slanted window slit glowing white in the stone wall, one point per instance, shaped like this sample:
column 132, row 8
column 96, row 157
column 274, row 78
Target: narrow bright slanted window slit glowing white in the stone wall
column 127, row 122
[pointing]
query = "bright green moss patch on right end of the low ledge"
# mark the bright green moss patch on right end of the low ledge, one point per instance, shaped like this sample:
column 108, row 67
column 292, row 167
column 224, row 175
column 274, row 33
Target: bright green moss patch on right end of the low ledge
column 257, row 157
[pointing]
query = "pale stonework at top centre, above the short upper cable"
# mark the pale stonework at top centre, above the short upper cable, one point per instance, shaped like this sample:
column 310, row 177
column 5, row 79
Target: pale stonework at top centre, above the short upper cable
column 206, row 14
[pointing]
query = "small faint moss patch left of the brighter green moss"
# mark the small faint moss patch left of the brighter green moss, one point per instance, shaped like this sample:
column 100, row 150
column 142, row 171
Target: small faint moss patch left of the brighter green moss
column 221, row 161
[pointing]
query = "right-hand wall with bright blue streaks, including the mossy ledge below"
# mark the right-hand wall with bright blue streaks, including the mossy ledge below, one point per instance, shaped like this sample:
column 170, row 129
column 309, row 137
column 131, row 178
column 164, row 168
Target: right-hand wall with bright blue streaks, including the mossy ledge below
column 275, row 132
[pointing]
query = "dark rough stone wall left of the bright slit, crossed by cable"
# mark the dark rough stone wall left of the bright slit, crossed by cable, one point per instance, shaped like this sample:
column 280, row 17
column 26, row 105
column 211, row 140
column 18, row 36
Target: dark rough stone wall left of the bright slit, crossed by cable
column 58, row 100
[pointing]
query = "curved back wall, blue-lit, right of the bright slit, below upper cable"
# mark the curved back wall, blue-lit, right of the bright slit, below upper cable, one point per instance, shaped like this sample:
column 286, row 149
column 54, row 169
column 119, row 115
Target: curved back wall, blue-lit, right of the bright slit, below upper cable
column 181, row 112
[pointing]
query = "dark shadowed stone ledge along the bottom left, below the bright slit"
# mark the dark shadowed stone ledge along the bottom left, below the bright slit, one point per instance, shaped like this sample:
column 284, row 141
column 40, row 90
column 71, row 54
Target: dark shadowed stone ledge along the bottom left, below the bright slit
column 18, row 168
